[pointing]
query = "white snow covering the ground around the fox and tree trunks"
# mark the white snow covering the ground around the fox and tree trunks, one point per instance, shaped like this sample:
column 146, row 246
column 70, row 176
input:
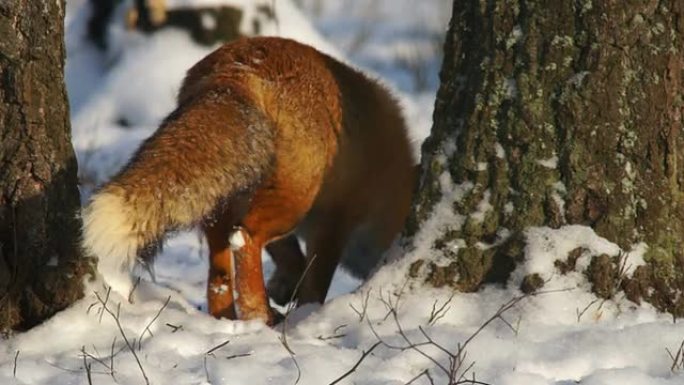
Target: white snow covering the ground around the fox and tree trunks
column 562, row 336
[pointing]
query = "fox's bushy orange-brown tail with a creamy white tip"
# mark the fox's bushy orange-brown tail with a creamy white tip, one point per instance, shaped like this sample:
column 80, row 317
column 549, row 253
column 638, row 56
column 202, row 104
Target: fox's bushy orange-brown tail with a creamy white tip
column 207, row 151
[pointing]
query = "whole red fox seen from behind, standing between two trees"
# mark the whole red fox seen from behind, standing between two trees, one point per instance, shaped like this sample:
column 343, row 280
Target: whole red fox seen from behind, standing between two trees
column 271, row 140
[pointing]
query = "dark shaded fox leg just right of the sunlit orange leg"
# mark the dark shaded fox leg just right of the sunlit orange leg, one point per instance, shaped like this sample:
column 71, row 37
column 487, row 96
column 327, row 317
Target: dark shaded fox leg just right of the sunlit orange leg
column 289, row 261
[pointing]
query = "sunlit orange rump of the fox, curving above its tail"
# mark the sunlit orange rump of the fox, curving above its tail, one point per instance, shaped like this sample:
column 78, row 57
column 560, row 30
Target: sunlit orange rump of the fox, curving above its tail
column 291, row 84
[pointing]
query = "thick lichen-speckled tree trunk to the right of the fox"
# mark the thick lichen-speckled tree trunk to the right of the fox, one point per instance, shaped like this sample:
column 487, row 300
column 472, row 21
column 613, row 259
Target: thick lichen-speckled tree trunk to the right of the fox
column 553, row 113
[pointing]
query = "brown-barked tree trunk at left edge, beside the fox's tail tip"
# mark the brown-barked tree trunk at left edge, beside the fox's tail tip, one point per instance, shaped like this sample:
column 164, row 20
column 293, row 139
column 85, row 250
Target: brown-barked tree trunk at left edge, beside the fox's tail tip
column 41, row 267
